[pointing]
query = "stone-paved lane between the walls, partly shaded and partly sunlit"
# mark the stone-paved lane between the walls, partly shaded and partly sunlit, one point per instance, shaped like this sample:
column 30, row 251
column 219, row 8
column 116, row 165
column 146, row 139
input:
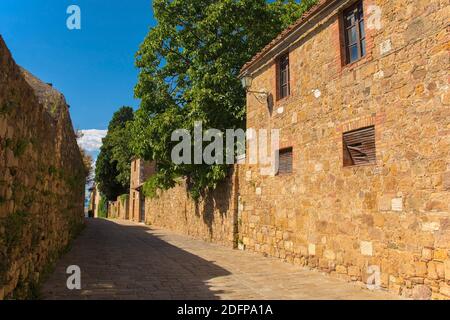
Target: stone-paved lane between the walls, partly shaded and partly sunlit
column 125, row 260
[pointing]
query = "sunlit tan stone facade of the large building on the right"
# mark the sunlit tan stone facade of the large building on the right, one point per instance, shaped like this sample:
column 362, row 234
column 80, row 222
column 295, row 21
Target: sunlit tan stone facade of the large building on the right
column 395, row 214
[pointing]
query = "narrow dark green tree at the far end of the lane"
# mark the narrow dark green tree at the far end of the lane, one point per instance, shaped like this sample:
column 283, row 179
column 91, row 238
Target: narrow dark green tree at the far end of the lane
column 112, row 172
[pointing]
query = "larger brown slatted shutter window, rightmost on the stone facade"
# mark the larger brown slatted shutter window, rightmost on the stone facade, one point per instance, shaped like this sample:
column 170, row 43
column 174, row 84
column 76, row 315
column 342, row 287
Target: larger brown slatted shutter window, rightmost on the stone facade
column 359, row 147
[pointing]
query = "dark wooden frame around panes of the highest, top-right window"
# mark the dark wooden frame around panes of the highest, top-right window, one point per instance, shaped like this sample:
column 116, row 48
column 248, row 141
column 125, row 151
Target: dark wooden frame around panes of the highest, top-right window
column 356, row 9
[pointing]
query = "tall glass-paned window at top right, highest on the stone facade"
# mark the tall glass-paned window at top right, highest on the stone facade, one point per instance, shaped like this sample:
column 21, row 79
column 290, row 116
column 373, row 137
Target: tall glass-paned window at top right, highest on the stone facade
column 355, row 36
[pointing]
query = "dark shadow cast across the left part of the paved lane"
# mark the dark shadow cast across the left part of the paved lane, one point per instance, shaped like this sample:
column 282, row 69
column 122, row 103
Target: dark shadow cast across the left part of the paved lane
column 132, row 262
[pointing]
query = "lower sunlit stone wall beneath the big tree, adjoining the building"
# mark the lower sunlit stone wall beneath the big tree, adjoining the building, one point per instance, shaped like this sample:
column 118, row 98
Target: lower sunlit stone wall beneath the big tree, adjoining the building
column 214, row 218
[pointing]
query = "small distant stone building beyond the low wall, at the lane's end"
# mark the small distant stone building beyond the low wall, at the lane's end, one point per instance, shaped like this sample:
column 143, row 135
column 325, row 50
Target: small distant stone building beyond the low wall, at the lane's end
column 140, row 171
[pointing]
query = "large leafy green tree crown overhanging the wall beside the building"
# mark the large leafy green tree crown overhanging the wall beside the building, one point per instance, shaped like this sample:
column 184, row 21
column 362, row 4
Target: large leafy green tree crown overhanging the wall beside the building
column 189, row 65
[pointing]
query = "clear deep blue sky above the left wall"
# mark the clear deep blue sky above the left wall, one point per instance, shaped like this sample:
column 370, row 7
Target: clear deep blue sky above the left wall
column 93, row 67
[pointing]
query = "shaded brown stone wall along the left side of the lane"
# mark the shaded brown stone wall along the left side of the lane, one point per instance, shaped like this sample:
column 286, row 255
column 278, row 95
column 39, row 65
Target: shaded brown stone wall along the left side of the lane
column 41, row 179
